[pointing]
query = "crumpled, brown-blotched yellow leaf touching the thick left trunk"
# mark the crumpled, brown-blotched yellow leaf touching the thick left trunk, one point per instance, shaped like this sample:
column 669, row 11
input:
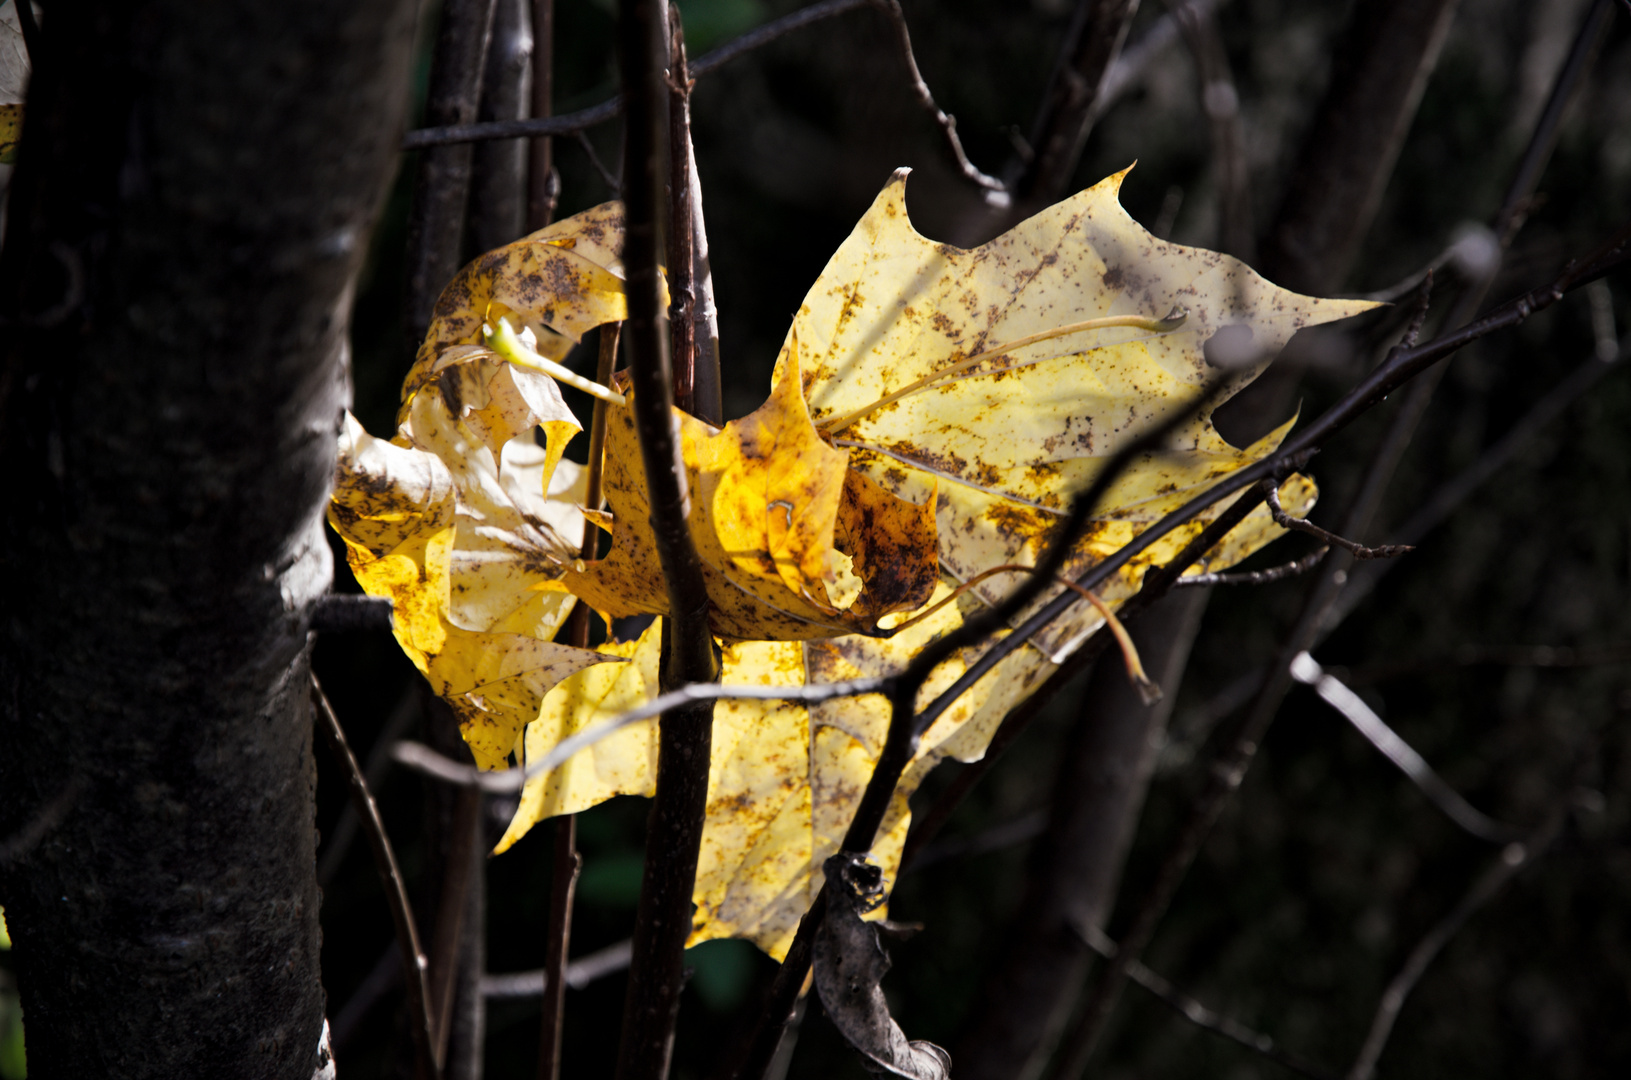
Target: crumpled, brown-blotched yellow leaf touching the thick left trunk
column 462, row 520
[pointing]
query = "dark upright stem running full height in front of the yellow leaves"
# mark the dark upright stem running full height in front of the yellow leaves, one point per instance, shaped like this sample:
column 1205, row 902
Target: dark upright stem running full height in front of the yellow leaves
column 674, row 831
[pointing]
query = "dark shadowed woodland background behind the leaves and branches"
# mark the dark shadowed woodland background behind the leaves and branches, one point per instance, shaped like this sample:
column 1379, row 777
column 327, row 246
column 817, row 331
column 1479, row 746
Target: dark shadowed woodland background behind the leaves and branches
column 1328, row 867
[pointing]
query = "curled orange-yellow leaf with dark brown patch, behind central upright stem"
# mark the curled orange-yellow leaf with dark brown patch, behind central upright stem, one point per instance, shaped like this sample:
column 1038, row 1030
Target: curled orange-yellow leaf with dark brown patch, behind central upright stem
column 793, row 546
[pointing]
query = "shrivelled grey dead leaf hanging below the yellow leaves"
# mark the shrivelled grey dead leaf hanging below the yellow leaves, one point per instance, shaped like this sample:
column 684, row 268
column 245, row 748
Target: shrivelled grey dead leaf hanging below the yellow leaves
column 851, row 962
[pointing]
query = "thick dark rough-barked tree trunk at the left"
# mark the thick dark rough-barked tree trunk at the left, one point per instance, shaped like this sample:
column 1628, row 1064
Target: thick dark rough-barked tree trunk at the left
column 193, row 201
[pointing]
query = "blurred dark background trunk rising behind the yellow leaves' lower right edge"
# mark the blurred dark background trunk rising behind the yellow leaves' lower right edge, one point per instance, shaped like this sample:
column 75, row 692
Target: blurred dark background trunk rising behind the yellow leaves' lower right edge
column 1077, row 865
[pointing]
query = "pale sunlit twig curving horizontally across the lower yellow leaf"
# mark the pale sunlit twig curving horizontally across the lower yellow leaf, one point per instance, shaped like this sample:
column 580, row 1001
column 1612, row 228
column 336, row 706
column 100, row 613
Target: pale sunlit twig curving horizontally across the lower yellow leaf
column 513, row 781
